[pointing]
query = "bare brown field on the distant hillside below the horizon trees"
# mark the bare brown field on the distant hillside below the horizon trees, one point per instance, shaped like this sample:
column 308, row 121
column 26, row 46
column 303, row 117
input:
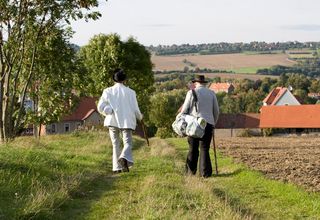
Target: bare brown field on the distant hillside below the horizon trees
column 221, row 61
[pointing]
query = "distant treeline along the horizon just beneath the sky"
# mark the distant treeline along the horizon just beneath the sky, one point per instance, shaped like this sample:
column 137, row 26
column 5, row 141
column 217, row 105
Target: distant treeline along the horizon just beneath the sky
column 221, row 48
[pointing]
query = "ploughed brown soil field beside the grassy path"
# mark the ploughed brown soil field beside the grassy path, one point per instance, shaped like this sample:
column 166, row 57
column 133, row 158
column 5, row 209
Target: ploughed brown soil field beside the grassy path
column 290, row 159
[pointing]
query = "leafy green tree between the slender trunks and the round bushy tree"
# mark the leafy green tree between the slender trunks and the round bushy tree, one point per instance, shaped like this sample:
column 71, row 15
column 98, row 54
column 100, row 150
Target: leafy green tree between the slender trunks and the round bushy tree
column 55, row 77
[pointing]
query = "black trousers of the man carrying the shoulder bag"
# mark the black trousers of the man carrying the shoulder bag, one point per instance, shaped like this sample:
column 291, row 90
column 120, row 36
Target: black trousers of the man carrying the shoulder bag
column 205, row 166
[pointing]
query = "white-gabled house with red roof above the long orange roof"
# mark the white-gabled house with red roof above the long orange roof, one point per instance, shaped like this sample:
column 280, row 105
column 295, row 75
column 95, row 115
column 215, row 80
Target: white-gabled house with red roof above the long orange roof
column 280, row 96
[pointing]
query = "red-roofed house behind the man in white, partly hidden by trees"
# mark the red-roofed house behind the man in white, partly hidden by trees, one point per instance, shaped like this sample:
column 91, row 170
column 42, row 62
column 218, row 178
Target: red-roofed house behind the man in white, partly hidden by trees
column 85, row 115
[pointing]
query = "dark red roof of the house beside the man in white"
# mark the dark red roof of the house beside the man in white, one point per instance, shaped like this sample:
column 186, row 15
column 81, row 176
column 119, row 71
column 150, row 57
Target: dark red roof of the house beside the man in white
column 86, row 107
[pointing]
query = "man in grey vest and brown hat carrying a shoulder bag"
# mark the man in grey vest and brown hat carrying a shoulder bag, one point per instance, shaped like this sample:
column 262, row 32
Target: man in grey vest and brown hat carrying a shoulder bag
column 207, row 108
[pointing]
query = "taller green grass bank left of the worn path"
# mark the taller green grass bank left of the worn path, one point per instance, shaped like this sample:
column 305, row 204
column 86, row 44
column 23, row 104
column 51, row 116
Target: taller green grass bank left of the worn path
column 37, row 177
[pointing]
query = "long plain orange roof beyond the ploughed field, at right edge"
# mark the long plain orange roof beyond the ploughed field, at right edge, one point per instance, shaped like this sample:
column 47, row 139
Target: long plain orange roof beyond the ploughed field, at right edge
column 292, row 116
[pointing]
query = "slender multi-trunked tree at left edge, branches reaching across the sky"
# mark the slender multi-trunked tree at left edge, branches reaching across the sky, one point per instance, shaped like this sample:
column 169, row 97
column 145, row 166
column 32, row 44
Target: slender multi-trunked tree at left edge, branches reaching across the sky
column 23, row 24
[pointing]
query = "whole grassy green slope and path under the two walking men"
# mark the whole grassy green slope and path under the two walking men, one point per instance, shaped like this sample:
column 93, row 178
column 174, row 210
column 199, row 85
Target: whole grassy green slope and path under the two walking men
column 69, row 177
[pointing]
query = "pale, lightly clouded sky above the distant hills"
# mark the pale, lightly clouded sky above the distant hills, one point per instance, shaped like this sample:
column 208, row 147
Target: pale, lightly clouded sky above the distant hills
column 167, row 22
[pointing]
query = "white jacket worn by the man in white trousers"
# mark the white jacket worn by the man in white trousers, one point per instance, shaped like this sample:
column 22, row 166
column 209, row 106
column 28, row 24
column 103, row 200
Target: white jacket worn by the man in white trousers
column 120, row 107
